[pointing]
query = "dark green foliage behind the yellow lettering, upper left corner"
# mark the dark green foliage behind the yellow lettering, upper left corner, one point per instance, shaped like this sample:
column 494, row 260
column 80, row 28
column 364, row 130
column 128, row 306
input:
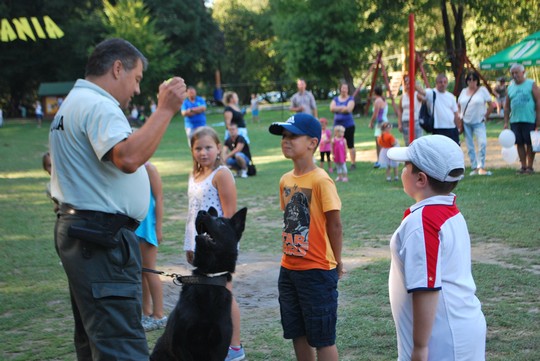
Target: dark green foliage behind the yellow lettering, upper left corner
column 26, row 64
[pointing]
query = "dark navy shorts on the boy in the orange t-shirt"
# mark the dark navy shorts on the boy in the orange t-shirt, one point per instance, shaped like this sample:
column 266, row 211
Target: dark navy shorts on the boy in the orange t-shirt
column 308, row 305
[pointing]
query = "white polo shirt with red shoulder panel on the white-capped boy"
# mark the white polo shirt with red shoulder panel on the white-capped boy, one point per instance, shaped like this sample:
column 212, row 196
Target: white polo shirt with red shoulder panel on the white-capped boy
column 431, row 251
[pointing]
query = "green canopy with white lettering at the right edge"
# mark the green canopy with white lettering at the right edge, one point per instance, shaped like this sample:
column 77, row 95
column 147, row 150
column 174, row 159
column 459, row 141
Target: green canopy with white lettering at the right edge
column 526, row 52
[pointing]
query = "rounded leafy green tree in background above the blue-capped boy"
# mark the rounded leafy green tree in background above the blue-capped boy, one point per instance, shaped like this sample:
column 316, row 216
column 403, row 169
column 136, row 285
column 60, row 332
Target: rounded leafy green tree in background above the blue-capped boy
column 319, row 39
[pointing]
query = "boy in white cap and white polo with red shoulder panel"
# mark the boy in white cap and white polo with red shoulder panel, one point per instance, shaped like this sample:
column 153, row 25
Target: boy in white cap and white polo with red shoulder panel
column 432, row 291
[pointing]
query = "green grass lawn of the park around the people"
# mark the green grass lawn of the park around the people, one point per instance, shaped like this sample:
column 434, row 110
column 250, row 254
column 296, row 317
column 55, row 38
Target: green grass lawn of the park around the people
column 503, row 213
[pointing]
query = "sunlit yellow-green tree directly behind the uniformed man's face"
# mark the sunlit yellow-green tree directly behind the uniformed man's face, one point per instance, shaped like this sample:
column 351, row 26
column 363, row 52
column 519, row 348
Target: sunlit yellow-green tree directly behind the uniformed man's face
column 131, row 20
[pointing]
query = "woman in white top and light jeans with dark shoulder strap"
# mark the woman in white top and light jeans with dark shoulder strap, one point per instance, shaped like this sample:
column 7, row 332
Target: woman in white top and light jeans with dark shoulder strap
column 473, row 111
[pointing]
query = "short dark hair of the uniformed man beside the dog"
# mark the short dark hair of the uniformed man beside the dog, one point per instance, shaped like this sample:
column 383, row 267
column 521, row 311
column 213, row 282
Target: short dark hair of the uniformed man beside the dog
column 110, row 50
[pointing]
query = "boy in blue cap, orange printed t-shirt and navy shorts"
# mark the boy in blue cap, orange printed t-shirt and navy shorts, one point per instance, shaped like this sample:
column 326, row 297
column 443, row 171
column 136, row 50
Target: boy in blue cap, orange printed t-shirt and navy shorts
column 312, row 241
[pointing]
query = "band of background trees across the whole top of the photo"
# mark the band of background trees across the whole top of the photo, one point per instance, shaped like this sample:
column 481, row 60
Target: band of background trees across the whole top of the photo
column 257, row 45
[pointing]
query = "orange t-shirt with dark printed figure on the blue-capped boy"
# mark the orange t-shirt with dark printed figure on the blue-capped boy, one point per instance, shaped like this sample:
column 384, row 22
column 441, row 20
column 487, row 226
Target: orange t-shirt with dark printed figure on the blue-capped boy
column 304, row 201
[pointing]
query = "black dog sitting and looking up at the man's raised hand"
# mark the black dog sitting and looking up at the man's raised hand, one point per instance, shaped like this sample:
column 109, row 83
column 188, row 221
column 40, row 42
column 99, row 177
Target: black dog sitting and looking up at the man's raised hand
column 200, row 326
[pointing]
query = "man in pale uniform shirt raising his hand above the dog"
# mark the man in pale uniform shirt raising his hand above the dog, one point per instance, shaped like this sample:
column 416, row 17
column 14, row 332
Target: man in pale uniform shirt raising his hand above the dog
column 99, row 179
